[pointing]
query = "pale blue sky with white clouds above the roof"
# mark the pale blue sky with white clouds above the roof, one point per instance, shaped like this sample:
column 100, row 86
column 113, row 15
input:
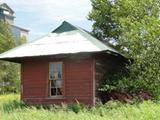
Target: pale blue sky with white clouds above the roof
column 43, row 16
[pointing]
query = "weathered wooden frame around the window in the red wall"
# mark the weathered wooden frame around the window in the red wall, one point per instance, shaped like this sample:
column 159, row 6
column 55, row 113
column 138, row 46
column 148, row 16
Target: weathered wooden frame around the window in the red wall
column 50, row 87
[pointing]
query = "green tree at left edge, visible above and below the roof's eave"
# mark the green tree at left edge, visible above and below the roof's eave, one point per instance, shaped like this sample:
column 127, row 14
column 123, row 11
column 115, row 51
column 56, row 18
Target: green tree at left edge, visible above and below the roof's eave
column 9, row 72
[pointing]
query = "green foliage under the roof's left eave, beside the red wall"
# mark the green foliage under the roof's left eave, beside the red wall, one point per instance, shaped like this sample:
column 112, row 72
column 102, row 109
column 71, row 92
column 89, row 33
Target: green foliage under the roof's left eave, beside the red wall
column 9, row 77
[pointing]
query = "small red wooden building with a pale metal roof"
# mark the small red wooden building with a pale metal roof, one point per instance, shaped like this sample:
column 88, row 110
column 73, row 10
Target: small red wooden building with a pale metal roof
column 64, row 66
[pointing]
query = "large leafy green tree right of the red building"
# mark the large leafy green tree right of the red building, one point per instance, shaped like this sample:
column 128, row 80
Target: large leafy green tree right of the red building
column 136, row 29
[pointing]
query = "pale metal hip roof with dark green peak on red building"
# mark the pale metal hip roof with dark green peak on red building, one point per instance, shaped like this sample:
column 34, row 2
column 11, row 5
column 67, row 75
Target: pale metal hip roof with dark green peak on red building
column 66, row 39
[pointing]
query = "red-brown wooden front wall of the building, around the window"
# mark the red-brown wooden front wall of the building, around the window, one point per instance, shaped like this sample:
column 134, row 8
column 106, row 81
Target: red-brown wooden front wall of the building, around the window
column 78, row 81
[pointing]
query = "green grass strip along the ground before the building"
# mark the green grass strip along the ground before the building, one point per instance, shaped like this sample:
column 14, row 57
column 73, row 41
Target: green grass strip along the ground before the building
column 12, row 109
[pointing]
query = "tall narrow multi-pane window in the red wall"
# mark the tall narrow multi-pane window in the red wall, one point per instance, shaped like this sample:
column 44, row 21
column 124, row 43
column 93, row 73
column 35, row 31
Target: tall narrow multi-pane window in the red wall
column 55, row 79
